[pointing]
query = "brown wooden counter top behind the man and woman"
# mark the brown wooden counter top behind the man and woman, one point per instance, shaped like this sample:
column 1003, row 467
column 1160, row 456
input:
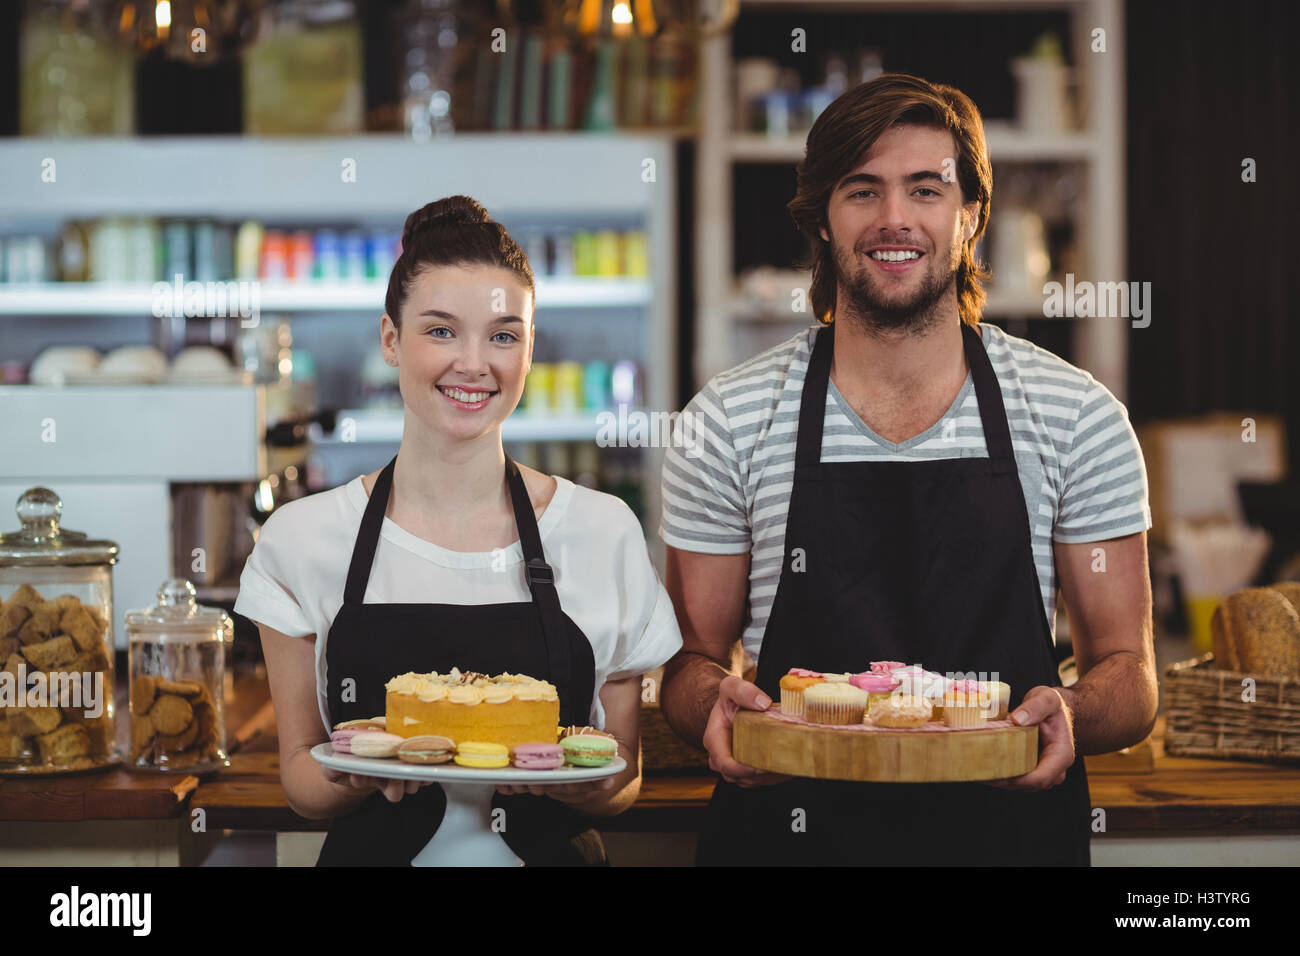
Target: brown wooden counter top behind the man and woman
column 1178, row 795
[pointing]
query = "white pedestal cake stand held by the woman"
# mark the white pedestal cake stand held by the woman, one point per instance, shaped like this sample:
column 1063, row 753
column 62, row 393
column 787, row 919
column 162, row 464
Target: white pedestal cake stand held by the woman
column 466, row 837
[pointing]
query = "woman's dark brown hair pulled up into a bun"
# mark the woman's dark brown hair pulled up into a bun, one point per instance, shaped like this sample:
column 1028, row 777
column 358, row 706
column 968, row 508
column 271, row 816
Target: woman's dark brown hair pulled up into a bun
column 454, row 231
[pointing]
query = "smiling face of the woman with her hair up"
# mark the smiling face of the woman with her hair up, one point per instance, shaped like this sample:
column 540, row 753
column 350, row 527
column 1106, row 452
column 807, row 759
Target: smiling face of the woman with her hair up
column 465, row 349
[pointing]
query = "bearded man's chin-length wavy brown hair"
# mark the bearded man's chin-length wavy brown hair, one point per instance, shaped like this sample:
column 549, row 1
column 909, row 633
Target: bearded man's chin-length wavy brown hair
column 842, row 137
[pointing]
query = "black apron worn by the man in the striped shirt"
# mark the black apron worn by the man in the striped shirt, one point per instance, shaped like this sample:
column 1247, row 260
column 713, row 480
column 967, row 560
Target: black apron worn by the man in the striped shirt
column 924, row 563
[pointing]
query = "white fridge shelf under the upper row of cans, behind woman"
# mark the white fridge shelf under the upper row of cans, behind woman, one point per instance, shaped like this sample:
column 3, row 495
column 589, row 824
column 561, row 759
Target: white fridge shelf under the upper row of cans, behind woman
column 136, row 300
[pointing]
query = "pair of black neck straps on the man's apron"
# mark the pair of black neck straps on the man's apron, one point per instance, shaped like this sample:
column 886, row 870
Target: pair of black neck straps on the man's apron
column 989, row 393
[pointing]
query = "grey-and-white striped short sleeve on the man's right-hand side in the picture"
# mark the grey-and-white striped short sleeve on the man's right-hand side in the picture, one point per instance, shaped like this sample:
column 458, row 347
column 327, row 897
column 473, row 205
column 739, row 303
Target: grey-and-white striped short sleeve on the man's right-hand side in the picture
column 1104, row 494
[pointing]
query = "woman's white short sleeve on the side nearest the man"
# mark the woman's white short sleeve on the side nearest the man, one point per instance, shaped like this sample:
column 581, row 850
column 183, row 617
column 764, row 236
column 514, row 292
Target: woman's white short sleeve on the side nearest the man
column 648, row 629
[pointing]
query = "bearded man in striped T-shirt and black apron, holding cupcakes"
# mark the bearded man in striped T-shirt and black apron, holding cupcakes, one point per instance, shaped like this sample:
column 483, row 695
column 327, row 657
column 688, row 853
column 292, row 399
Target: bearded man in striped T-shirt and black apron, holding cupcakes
column 905, row 485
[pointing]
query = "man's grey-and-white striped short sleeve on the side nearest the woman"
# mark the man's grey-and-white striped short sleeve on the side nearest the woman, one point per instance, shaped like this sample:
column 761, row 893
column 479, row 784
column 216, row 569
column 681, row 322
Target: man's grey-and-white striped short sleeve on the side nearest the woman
column 704, row 500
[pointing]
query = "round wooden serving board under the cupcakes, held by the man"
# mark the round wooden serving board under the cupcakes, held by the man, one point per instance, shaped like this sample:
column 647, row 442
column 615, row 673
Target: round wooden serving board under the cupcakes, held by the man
column 878, row 755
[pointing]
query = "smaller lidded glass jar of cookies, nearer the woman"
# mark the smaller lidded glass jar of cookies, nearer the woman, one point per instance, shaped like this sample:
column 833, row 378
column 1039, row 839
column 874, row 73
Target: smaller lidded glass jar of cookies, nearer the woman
column 177, row 681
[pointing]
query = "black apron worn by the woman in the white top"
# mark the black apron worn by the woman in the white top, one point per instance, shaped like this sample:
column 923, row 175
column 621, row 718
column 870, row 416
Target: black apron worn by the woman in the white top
column 372, row 643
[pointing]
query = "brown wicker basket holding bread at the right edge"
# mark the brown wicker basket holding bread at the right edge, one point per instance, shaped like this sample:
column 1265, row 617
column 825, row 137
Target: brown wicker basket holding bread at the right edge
column 1206, row 716
